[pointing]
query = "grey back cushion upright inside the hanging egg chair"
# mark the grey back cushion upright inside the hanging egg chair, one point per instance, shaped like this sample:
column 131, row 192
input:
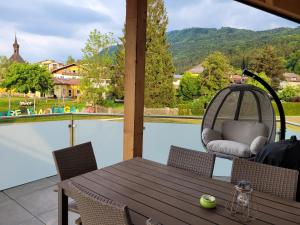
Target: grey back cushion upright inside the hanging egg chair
column 243, row 131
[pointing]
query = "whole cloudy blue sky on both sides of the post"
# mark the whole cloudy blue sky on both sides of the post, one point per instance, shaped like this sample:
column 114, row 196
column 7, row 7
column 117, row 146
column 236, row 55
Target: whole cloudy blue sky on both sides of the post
column 55, row 29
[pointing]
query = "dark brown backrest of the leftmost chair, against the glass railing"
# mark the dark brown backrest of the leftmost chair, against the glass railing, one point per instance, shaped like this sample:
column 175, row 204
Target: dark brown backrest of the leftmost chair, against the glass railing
column 74, row 161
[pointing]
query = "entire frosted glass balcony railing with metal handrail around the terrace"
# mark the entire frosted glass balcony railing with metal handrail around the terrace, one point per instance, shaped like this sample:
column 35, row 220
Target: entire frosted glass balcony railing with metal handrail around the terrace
column 26, row 147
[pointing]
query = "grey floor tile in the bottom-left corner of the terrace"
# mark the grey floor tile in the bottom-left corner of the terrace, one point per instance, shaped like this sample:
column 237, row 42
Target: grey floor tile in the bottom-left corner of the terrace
column 11, row 213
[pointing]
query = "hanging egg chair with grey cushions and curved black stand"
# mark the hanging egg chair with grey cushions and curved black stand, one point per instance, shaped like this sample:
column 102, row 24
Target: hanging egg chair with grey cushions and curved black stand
column 240, row 120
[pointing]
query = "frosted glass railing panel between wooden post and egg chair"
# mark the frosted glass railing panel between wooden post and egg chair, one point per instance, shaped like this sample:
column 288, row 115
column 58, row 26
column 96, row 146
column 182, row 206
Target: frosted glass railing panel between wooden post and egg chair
column 159, row 136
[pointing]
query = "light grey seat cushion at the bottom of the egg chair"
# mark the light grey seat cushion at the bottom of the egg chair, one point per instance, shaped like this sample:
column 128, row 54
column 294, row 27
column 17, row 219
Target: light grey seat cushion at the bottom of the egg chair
column 229, row 148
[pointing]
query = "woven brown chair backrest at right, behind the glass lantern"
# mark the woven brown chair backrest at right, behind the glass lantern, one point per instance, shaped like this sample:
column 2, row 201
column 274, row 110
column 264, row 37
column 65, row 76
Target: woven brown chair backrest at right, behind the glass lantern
column 274, row 180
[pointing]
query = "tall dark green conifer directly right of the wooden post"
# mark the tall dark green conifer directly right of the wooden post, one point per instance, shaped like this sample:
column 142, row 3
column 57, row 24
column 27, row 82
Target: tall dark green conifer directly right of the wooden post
column 159, row 90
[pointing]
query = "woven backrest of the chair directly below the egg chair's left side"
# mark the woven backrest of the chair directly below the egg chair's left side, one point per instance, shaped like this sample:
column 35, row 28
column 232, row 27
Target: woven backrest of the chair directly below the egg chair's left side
column 197, row 162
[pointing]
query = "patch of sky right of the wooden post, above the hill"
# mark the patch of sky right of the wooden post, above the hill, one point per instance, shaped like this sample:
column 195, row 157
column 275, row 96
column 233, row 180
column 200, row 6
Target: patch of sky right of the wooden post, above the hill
column 220, row 13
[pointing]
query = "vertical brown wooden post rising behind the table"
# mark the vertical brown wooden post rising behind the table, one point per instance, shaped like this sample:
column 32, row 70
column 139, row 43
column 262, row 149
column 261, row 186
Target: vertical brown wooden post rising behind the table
column 135, row 48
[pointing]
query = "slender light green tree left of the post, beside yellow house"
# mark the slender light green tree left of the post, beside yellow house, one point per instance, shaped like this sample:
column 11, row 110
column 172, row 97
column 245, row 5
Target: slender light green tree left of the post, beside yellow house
column 96, row 66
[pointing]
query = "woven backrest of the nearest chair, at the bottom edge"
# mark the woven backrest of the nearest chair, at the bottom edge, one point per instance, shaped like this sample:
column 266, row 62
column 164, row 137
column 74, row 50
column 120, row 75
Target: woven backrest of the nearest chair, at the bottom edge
column 95, row 209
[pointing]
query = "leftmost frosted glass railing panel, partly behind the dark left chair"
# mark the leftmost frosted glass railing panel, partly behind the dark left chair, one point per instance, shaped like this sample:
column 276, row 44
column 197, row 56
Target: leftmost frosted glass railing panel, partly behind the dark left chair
column 26, row 150
